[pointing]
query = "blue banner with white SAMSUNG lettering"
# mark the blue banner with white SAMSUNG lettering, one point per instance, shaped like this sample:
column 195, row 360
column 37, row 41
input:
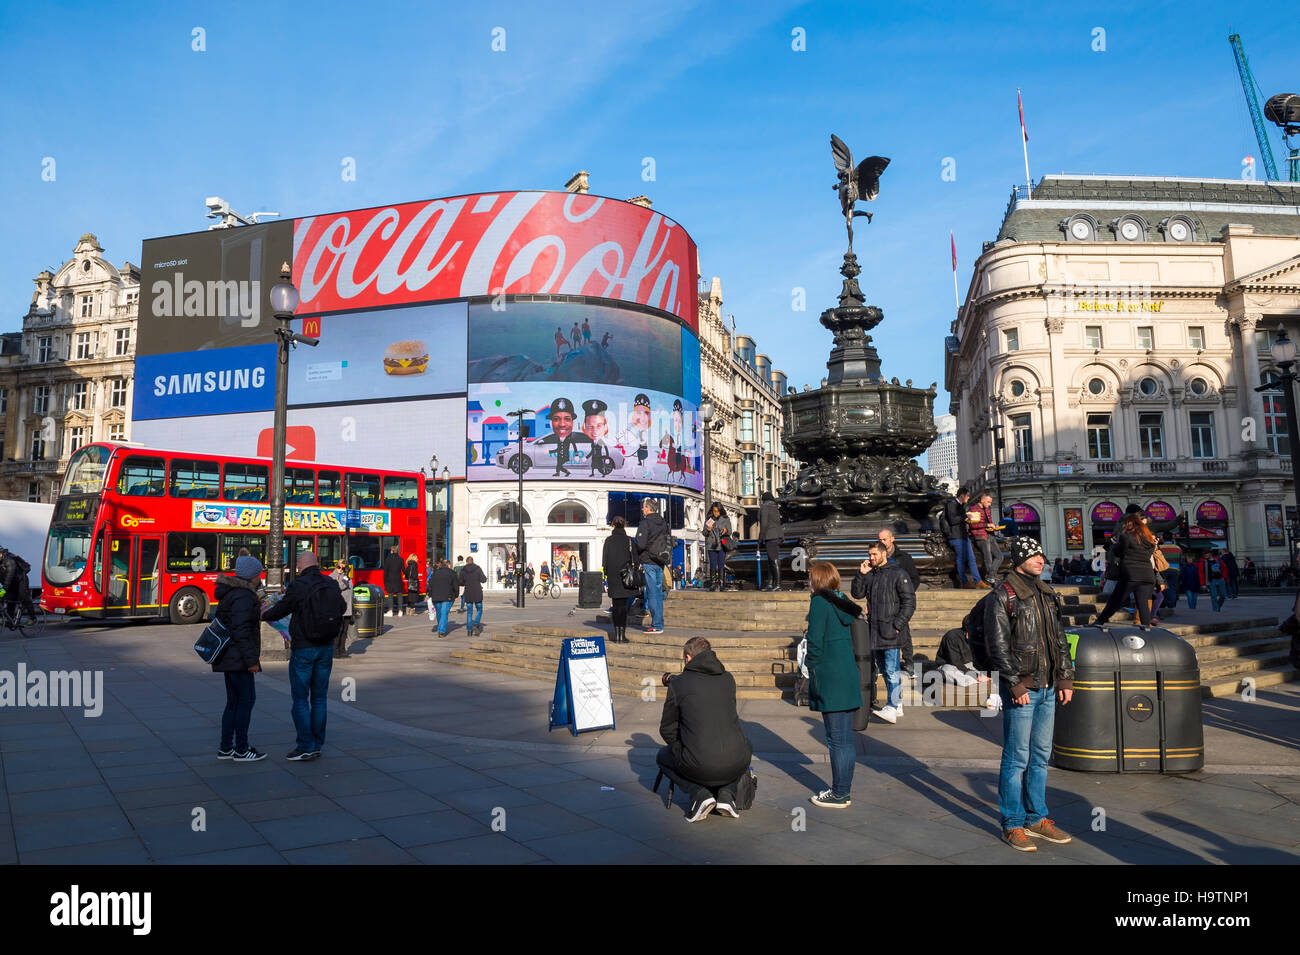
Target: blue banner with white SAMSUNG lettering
column 215, row 381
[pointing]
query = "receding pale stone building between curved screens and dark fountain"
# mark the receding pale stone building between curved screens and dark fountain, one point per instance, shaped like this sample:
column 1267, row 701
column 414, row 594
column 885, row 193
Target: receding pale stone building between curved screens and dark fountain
column 747, row 454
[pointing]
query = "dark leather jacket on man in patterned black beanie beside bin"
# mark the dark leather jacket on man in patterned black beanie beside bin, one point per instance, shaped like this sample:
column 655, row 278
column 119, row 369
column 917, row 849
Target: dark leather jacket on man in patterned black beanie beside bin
column 1028, row 645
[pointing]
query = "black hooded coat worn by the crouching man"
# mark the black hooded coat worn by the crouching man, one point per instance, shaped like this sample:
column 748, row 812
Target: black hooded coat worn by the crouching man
column 701, row 727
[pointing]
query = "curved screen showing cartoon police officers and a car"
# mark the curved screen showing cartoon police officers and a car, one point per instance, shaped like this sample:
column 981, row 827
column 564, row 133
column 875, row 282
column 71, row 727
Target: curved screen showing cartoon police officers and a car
column 582, row 432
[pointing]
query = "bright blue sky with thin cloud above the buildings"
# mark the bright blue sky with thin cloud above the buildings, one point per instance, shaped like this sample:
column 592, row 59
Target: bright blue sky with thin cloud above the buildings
column 142, row 128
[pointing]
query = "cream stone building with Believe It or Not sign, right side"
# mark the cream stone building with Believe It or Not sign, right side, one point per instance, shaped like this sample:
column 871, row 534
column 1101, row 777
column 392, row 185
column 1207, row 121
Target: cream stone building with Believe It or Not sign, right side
column 1116, row 332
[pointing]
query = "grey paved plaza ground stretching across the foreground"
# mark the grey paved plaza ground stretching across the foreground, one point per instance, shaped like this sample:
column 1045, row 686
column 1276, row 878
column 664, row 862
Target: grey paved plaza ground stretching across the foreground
column 436, row 763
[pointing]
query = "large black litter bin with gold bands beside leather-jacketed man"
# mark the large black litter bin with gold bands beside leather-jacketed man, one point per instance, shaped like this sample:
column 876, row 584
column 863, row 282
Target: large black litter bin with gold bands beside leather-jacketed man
column 1137, row 705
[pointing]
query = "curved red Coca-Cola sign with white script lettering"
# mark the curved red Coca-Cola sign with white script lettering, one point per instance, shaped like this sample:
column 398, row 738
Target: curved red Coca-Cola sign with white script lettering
column 512, row 244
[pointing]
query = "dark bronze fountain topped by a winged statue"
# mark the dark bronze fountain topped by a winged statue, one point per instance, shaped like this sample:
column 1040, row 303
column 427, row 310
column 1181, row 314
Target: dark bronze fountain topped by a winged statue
column 857, row 435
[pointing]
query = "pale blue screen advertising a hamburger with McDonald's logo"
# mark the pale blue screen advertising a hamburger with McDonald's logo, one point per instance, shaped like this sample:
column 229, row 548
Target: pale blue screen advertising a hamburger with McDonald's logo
column 382, row 354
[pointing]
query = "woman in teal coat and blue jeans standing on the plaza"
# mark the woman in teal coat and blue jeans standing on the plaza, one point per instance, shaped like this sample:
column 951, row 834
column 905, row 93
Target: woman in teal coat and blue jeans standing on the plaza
column 834, row 687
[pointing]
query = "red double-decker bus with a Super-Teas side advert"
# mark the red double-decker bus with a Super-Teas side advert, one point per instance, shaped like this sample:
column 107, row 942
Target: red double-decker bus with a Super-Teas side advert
column 145, row 533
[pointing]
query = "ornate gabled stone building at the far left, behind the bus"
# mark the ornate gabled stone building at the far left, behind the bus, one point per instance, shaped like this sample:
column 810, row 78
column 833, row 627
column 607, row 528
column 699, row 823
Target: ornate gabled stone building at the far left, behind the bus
column 67, row 379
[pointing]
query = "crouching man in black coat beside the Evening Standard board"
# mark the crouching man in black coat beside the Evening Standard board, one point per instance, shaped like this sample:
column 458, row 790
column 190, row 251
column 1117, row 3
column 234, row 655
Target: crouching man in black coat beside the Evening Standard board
column 707, row 748
